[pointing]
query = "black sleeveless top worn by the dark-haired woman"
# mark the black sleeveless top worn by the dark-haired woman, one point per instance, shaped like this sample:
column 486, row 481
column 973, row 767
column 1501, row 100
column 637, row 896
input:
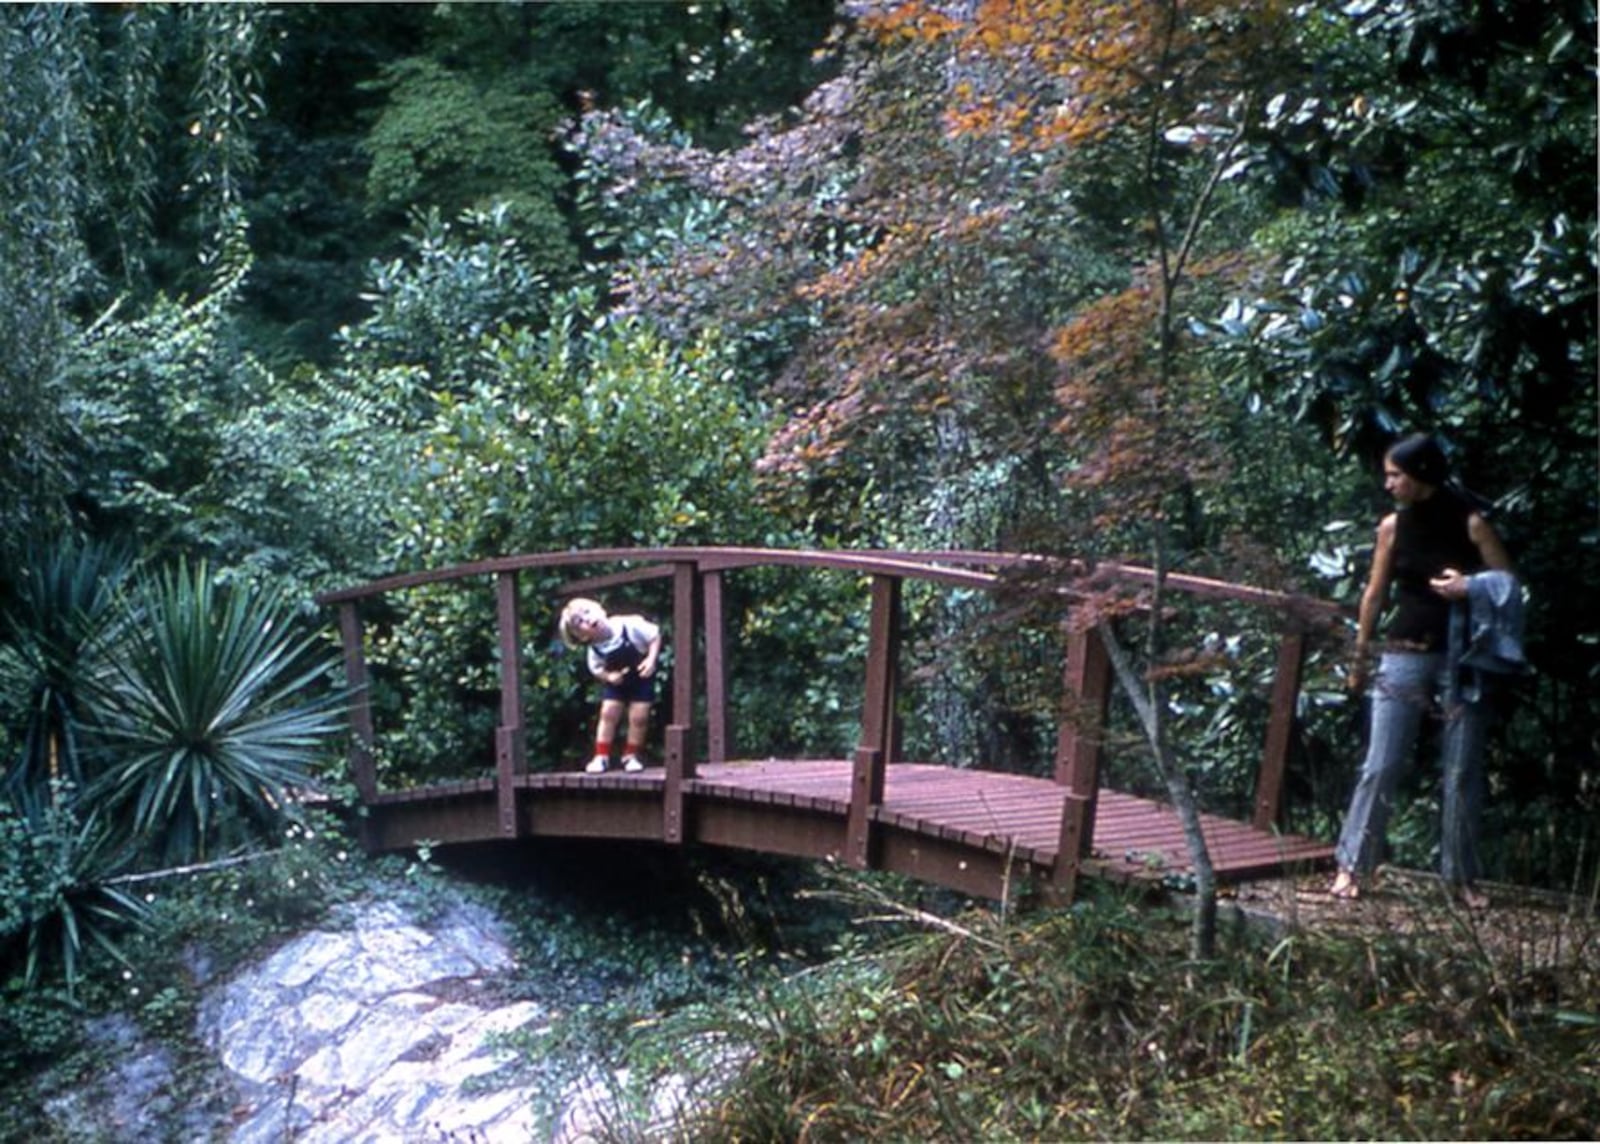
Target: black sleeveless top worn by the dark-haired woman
column 1430, row 538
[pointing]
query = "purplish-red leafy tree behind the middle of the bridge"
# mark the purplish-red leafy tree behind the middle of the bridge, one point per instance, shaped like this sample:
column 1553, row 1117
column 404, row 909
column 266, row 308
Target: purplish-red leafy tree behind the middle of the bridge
column 900, row 332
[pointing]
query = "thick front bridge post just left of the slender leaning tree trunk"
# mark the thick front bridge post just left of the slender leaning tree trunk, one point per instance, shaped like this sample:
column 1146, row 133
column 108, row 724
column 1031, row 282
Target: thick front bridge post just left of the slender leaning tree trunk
column 1086, row 703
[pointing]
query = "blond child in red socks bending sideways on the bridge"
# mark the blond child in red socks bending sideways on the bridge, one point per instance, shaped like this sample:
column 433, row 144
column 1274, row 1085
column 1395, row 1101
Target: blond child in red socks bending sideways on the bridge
column 622, row 654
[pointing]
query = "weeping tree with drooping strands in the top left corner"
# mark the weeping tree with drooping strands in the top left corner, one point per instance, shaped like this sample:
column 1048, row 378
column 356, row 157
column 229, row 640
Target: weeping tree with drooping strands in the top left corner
column 84, row 137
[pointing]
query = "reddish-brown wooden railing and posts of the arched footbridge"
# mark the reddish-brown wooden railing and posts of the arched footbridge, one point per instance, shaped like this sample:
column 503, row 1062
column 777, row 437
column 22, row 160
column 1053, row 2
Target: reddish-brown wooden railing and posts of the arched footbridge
column 698, row 610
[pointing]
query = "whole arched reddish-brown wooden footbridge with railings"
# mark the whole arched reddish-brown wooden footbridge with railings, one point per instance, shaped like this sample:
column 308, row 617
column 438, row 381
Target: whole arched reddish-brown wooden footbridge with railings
column 972, row 830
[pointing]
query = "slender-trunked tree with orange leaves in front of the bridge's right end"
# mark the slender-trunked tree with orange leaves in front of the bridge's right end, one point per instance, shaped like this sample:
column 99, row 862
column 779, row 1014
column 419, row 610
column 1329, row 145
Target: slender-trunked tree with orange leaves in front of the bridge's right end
column 1143, row 106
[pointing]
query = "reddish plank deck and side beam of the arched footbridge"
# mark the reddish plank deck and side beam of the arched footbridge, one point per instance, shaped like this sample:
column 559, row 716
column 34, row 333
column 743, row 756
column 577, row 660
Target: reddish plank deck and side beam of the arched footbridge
column 967, row 830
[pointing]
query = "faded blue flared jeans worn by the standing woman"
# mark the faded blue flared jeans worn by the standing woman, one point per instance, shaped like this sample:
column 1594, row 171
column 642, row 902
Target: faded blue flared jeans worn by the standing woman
column 1409, row 689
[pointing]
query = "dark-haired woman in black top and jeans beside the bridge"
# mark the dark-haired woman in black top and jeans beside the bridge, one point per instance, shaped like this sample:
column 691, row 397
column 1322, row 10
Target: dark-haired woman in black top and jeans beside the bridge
column 1428, row 551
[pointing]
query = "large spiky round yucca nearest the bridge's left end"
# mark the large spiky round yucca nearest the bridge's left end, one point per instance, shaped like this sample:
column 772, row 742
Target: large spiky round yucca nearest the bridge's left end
column 210, row 714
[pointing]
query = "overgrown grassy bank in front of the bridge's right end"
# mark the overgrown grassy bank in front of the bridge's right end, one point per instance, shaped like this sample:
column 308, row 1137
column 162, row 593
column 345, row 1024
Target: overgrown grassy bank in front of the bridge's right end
column 1092, row 1025
